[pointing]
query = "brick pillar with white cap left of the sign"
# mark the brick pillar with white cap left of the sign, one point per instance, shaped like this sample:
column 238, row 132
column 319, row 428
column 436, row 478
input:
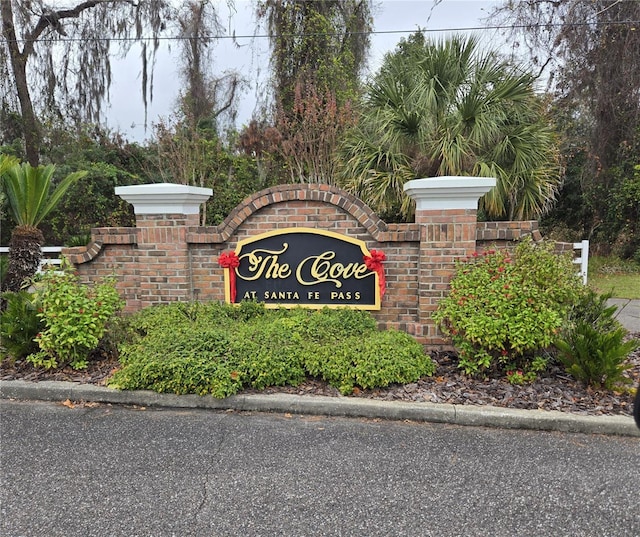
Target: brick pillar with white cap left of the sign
column 163, row 212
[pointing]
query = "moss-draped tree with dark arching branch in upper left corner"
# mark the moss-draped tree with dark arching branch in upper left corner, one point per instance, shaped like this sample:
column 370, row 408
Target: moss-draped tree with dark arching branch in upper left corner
column 63, row 56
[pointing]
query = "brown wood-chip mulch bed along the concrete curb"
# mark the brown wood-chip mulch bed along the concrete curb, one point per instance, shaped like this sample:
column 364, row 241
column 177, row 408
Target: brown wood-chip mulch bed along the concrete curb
column 555, row 390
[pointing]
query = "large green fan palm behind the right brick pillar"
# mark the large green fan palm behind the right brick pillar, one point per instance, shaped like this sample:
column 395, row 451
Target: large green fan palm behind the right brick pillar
column 445, row 108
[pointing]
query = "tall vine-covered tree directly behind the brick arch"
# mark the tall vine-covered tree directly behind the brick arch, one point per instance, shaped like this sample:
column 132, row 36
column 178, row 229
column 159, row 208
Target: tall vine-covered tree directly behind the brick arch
column 318, row 52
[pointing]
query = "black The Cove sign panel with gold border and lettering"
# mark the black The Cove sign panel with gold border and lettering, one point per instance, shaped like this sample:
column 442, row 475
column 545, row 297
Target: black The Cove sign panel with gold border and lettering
column 306, row 267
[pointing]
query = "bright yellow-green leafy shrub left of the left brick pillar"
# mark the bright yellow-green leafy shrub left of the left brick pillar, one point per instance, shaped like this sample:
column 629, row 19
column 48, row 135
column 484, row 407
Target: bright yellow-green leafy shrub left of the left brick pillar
column 75, row 318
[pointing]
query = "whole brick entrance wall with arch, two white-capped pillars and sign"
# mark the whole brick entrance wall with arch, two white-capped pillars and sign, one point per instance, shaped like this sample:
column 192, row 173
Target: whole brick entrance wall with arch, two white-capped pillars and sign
column 312, row 245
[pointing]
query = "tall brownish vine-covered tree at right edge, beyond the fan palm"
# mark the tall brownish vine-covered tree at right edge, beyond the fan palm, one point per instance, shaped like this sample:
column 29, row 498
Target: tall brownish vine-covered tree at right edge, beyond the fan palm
column 589, row 52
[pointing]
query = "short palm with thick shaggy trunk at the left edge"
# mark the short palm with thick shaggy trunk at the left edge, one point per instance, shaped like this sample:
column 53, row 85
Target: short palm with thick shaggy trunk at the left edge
column 29, row 192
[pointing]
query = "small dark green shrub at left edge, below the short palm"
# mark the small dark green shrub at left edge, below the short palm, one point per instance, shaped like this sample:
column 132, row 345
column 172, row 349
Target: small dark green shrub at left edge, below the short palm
column 20, row 324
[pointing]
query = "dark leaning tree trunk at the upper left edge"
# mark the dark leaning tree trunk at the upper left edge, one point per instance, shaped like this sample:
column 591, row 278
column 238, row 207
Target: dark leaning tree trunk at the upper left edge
column 18, row 59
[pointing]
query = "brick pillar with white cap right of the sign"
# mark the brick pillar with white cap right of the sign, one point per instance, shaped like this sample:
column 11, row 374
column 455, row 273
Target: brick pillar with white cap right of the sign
column 446, row 211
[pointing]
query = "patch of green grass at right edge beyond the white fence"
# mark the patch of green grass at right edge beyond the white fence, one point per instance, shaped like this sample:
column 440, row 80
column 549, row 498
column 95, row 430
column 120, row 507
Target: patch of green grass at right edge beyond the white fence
column 621, row 277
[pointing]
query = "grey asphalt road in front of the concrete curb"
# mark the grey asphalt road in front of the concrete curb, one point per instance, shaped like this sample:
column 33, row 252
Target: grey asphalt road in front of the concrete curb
column 109, row 471
